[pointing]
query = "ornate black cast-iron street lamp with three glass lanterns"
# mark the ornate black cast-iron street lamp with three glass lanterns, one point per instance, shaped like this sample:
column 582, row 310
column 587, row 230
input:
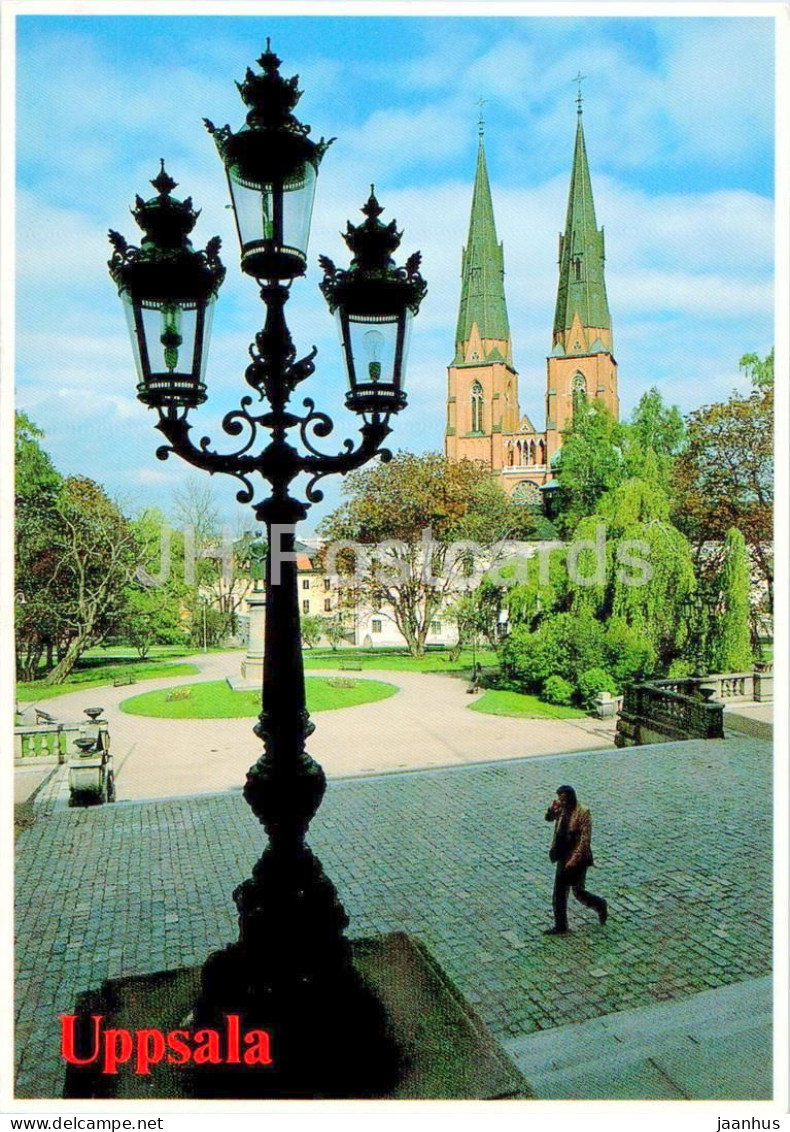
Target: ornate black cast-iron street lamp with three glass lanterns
column 291, row 971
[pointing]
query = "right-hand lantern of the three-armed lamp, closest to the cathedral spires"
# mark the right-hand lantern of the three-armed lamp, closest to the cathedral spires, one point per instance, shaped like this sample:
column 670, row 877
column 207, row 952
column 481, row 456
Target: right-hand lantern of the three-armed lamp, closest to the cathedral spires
column 374, row 303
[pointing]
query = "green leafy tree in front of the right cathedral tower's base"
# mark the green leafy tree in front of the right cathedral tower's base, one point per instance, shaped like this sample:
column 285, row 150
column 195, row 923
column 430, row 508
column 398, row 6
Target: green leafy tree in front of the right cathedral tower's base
column 591, row 462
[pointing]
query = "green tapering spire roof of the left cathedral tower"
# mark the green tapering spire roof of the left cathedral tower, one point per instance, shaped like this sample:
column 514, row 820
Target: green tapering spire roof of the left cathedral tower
column 483, row 272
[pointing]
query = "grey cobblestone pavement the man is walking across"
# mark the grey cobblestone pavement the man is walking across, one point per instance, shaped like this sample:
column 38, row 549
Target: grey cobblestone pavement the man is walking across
column 457, row 857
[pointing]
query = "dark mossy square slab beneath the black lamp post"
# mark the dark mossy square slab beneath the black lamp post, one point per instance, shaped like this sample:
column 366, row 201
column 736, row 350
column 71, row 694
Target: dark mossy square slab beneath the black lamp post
column 448, row 1051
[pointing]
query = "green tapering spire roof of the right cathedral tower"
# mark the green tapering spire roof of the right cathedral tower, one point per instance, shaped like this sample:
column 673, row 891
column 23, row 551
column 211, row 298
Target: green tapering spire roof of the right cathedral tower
column 582, row 288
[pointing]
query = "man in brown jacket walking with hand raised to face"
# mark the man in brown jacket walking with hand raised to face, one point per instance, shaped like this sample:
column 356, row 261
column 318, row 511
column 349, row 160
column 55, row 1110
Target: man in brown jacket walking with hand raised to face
column 573, row 856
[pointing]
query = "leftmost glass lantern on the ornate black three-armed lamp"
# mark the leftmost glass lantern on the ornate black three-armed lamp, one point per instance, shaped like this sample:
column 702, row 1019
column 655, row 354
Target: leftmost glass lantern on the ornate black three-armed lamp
column 168, row 289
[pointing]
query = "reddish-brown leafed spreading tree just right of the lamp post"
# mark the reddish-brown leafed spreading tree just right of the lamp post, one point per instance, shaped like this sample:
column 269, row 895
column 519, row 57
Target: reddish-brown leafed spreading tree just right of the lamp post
column 408, row 520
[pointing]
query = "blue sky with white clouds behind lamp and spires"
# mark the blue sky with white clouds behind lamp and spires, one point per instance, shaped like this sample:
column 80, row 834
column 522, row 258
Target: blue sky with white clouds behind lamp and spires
column 679, row 117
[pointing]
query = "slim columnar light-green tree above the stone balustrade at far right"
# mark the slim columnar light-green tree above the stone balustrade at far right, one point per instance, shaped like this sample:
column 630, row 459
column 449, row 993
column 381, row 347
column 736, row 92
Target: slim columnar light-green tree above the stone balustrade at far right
column 729, row 644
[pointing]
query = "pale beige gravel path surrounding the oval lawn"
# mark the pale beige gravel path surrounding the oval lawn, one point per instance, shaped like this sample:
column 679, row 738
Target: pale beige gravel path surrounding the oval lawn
column 425, row 725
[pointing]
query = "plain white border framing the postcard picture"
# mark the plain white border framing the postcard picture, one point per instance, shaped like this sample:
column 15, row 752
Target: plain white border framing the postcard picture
column 542, row 1116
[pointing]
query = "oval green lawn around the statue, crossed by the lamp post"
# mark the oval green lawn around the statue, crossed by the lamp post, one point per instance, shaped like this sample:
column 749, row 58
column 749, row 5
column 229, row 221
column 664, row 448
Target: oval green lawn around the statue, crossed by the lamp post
column 216, row 700
